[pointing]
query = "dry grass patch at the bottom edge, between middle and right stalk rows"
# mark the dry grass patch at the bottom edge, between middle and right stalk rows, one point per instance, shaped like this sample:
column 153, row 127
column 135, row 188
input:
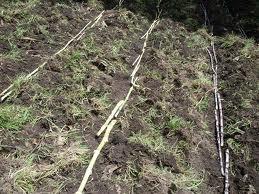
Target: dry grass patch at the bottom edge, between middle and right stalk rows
column 163, row 177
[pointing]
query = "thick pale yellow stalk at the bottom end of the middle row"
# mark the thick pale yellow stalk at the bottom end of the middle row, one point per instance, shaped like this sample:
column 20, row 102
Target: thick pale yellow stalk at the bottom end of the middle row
column 97, row 152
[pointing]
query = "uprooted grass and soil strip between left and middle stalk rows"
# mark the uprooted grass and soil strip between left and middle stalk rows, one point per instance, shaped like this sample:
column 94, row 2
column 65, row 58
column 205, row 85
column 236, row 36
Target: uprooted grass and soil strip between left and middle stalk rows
column 67, row 94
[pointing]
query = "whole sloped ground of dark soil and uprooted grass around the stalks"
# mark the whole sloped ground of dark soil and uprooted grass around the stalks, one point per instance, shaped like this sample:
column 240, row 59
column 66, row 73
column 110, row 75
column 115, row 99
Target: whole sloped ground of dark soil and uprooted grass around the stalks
column 164, row 140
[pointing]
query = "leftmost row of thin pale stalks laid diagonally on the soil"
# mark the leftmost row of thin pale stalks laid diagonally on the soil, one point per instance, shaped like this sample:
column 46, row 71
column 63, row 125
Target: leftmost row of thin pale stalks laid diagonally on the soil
column 8, row 91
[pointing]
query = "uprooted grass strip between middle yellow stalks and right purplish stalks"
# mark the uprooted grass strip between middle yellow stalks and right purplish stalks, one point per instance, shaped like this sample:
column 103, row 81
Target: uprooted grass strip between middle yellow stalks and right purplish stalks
column 166, row 125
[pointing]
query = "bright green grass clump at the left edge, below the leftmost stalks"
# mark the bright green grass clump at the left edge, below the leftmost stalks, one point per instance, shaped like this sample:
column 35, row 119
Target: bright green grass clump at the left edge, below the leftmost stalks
column 14, row 117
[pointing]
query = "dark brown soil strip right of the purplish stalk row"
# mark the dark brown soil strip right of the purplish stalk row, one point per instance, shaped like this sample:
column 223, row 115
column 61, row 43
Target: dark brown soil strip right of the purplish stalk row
column 239, row 81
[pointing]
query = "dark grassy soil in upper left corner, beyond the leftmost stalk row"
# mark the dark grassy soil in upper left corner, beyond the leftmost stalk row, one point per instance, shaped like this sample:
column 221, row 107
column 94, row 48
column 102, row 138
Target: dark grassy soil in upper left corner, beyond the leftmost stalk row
column 36, row 45
